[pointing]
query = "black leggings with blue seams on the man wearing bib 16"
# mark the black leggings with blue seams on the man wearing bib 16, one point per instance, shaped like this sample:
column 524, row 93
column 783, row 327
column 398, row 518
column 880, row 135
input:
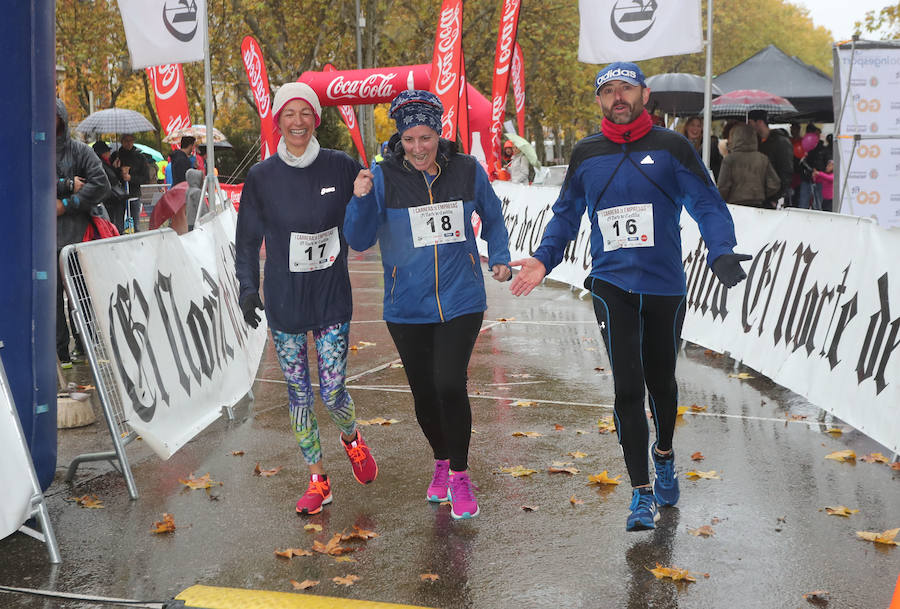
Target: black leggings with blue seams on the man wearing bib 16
column 642, row 334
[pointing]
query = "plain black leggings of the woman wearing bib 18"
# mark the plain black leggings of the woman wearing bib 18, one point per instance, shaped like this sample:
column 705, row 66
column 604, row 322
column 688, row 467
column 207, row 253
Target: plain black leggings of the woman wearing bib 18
column 436, row 358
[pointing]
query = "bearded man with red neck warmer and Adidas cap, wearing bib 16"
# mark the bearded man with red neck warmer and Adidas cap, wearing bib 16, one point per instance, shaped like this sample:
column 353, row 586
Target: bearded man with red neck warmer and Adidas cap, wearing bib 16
column 633, row 180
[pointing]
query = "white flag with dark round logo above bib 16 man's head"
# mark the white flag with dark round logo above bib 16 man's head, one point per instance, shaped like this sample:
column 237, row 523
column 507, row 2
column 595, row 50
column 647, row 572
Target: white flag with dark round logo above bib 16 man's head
column 630, row 30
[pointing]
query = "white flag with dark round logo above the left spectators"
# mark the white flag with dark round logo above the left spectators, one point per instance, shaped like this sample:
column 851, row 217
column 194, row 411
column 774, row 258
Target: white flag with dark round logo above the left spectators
column 163, row 31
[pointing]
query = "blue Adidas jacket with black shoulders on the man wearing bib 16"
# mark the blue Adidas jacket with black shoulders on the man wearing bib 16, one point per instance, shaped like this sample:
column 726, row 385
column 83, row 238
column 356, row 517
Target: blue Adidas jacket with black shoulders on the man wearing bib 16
column 661, row 168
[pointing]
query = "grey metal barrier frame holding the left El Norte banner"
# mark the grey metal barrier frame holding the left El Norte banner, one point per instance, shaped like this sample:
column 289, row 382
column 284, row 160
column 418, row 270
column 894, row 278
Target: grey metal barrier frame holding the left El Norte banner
column 101, row 366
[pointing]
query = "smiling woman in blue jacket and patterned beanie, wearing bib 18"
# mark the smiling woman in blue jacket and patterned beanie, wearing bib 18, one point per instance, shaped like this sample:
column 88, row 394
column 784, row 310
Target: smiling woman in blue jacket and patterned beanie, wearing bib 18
column 417, row 204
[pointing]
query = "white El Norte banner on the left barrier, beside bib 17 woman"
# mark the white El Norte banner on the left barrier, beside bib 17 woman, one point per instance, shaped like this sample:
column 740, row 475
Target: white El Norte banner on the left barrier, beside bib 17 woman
column 168, row 310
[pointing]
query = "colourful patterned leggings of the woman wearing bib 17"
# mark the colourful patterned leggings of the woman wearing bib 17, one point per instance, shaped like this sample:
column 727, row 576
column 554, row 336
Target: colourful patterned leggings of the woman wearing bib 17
column 331, row 351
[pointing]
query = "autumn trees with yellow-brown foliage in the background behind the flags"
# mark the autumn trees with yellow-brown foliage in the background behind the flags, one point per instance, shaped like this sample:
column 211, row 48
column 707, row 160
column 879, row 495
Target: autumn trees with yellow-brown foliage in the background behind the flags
column 300, row 35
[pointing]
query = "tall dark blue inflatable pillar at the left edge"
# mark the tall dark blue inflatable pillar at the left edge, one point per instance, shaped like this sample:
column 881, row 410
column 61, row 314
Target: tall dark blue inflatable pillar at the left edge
column 28, row 265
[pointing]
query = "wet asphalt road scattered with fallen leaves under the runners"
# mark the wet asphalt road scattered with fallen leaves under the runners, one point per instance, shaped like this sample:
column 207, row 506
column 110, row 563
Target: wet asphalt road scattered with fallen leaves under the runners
column 772, row 540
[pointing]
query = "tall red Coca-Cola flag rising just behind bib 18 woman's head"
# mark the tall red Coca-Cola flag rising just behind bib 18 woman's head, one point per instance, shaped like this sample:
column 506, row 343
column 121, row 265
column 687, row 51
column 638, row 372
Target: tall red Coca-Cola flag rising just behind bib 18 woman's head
column 445, row 66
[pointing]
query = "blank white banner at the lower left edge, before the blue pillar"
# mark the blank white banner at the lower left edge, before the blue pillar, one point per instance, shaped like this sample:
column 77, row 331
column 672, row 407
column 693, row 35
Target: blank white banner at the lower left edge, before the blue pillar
column 15, row 467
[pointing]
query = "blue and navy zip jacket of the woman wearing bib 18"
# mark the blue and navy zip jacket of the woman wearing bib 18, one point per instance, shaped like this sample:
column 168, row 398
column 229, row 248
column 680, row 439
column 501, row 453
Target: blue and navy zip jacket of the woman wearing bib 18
column 434, row 283
